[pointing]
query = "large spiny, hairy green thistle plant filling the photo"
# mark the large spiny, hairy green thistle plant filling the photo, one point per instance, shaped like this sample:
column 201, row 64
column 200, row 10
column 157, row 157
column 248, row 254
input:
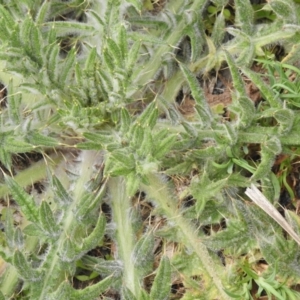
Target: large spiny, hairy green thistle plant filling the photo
column 92, row 87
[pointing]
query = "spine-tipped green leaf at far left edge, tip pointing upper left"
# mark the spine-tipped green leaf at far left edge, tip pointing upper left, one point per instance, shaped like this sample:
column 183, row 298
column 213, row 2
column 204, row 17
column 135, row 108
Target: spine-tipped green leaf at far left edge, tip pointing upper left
column 25, row 201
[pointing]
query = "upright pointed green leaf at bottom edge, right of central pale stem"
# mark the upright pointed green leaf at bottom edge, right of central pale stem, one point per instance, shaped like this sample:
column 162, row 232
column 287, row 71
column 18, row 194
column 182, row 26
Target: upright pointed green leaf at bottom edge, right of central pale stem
column 161, row 286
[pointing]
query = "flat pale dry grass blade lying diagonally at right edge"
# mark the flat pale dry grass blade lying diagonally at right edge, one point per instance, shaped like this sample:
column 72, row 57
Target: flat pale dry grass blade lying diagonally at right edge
column 259, row 199
